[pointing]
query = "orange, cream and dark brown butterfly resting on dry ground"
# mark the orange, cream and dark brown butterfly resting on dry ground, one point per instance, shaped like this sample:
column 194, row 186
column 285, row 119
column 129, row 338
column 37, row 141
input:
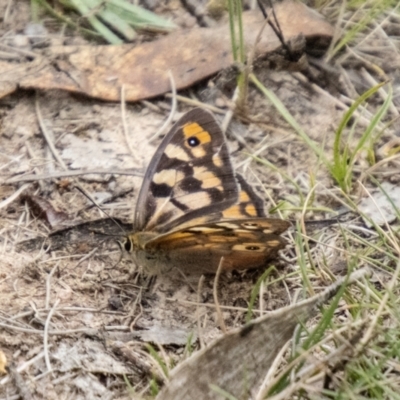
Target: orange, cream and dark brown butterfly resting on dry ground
column 193, row 208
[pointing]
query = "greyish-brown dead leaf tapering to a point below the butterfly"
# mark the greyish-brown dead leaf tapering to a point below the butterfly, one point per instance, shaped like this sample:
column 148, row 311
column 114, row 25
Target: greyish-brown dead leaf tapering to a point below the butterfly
column 238, row 361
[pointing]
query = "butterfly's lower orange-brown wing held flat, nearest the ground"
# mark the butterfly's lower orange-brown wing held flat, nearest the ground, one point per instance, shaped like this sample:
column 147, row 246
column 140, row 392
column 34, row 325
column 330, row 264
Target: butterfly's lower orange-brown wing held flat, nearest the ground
column 244, row 244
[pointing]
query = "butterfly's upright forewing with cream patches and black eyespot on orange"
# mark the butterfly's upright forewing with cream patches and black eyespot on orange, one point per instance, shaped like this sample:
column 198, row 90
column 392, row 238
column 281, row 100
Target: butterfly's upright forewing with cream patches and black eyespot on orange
column 189, row 176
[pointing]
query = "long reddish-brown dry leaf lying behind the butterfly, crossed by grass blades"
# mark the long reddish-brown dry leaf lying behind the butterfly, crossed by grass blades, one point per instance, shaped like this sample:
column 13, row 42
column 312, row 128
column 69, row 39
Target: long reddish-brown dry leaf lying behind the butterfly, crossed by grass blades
column 191, row 55
